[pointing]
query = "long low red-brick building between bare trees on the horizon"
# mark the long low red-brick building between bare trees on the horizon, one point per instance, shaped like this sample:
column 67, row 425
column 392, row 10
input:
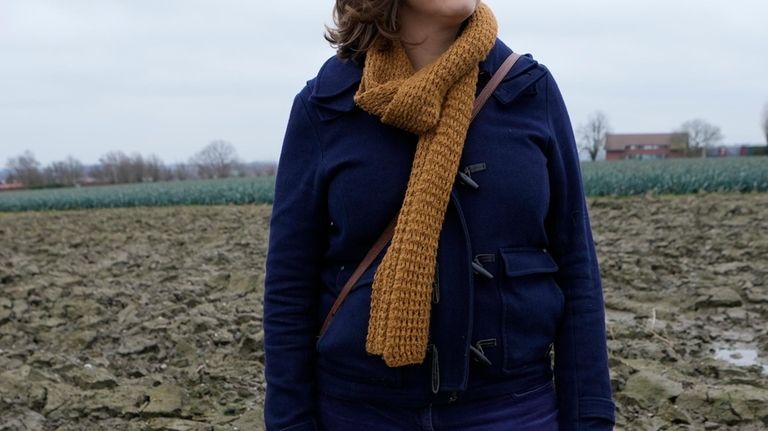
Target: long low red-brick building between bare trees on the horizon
column 621, row 146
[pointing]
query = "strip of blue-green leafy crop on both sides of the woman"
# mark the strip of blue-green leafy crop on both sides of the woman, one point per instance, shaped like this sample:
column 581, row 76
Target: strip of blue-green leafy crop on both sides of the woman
column 615, row 178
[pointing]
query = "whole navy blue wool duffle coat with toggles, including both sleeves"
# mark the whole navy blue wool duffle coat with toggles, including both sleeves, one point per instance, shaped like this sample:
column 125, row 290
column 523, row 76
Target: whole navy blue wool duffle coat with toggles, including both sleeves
column 517, row 273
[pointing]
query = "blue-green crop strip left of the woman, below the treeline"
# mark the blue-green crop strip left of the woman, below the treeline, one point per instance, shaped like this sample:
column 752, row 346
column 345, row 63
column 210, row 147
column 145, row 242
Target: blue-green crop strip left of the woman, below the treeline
column 192, row 192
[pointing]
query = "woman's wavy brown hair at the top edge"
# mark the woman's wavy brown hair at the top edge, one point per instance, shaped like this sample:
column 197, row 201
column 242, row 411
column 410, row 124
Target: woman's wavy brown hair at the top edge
column 359, row 23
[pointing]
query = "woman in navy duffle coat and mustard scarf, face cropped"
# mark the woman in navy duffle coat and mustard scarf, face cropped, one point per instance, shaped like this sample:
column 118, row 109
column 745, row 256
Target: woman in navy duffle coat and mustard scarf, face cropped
column 492, row 266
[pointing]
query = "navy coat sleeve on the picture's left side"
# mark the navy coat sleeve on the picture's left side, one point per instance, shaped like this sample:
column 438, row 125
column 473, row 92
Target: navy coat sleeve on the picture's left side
column 297, row 237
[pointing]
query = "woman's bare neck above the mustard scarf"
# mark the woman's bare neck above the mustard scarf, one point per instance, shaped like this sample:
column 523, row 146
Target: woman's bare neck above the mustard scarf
column 429, row 38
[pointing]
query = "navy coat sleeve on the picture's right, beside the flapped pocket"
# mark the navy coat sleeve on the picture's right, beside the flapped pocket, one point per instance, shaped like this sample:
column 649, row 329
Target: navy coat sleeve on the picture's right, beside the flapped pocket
column 581, row 359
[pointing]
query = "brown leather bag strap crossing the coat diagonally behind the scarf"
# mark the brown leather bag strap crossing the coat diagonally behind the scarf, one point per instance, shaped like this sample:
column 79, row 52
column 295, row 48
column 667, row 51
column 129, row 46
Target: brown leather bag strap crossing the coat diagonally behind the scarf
column 385, row 236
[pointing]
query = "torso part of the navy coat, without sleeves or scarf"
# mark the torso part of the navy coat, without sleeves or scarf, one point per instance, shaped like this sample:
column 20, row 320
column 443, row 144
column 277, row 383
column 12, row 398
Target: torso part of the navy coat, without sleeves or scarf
column 491, row 328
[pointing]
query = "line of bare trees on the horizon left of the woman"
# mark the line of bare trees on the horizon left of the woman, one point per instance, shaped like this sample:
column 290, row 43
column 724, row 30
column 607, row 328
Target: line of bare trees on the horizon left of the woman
column 218, row 159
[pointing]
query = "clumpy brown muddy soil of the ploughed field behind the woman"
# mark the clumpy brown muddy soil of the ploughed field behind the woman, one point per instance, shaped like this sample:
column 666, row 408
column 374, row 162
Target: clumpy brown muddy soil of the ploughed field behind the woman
column 150, row 318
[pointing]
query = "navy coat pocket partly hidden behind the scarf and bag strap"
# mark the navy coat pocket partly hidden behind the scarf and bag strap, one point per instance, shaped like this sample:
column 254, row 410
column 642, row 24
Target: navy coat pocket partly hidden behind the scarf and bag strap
column 341, row 349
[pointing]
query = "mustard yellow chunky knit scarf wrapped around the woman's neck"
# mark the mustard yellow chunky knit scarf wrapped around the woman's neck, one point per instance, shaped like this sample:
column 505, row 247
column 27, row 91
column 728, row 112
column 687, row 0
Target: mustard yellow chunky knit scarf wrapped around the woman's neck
column 434, row 102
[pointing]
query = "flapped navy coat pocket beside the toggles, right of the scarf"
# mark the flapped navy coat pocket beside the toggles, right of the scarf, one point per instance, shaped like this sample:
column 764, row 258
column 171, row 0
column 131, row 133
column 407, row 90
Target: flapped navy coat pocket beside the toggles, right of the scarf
column 532, row 305
